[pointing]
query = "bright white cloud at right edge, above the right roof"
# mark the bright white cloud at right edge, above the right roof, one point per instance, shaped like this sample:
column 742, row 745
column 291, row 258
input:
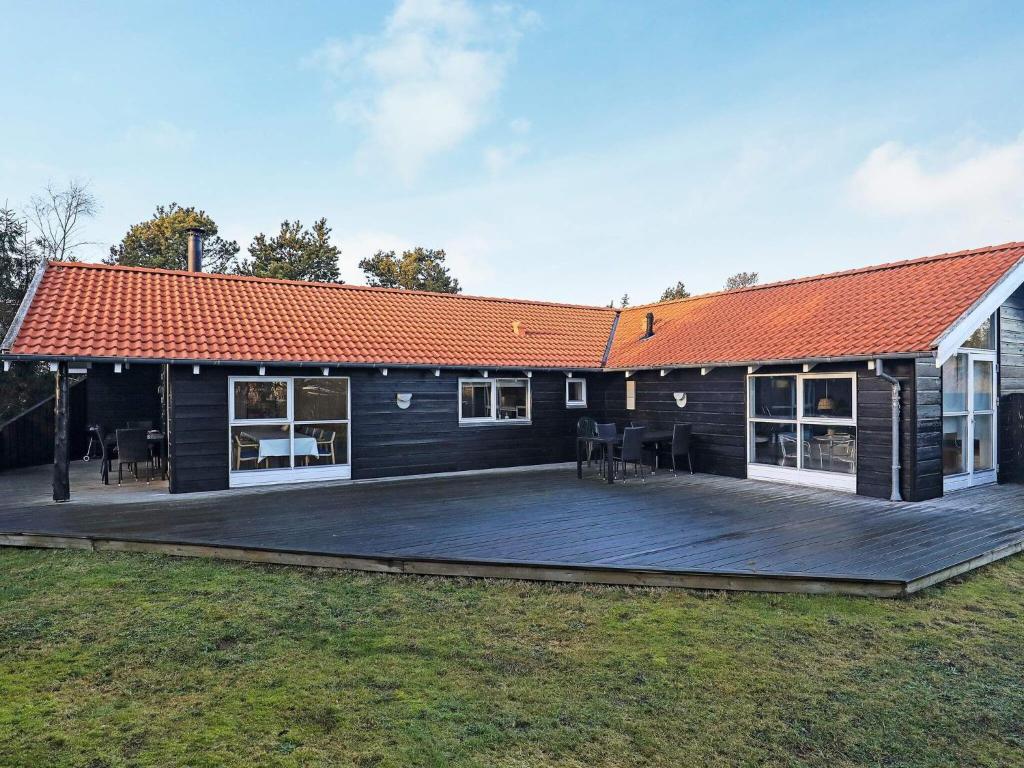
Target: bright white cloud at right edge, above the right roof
column 973, row 180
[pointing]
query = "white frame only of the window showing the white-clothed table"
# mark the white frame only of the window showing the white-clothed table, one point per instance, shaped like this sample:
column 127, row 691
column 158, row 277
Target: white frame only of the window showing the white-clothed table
column 244, row 479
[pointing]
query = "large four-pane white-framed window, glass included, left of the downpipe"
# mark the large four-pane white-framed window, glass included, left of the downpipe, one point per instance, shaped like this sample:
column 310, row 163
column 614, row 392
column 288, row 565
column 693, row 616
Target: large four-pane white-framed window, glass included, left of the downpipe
column 803, row 429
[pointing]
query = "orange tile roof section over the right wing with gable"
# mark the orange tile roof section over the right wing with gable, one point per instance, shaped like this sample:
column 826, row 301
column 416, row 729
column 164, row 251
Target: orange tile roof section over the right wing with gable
column 891, row 309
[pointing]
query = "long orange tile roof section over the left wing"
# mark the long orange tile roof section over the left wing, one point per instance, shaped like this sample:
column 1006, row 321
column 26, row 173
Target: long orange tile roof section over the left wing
column 95, row 311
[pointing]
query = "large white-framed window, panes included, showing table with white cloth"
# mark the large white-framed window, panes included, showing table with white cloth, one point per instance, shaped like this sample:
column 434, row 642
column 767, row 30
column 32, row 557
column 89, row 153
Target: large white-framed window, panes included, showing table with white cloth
column 288, row 430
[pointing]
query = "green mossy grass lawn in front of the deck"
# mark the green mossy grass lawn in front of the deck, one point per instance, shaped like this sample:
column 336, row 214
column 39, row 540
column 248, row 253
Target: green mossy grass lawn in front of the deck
column 132, row 660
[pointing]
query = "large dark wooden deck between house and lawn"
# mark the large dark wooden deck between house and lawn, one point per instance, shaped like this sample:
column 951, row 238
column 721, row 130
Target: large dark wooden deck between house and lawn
column 700, row 531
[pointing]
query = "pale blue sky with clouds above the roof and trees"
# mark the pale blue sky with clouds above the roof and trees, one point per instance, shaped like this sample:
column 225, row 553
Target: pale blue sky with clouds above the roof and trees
column 570, row 151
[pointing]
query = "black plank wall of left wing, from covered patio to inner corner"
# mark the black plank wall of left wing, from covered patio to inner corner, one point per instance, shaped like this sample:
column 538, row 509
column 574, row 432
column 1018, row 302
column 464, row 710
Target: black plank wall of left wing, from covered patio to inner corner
column 387, row 441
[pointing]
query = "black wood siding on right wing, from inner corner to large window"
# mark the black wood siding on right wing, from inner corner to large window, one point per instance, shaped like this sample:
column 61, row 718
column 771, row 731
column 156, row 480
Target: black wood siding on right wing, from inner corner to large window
column 716, row 408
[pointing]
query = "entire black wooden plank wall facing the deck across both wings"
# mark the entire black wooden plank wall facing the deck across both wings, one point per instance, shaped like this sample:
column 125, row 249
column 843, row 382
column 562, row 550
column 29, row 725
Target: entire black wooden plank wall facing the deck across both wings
column 428, row 438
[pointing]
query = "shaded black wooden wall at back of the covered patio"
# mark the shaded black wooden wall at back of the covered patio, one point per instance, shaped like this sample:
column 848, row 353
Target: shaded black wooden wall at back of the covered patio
column 114, row 400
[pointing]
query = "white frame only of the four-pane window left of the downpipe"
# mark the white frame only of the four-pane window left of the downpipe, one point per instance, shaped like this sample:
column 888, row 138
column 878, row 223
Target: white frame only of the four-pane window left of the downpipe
column 801, row 476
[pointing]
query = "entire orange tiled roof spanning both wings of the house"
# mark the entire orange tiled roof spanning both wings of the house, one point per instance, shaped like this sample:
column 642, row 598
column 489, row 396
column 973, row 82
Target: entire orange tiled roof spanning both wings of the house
column 95, row 311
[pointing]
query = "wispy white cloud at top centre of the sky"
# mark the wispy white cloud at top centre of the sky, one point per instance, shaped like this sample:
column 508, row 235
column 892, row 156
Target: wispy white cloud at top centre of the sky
column 428, row 82
